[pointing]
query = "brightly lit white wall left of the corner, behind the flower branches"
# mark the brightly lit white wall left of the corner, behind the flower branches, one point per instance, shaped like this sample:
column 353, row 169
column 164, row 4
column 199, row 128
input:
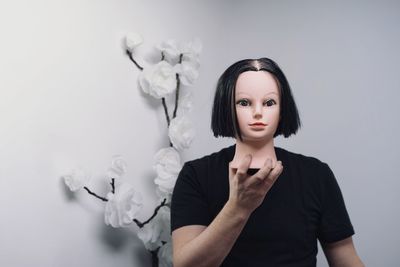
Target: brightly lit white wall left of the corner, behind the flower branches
column 69, row 96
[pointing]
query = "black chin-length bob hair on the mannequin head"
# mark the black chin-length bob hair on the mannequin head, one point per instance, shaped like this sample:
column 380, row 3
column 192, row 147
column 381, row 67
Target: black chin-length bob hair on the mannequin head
column 224, row 119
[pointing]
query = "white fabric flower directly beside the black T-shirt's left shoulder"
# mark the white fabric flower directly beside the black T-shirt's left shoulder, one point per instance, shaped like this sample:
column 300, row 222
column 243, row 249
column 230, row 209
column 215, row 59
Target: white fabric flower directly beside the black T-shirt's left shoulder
column 167, row 165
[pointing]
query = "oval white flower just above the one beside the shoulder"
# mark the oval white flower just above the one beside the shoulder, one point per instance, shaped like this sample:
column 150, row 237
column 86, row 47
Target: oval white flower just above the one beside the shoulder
column 181, row 132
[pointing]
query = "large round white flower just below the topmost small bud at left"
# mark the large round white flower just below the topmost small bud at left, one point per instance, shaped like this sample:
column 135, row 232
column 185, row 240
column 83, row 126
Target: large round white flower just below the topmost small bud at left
column 158, row 80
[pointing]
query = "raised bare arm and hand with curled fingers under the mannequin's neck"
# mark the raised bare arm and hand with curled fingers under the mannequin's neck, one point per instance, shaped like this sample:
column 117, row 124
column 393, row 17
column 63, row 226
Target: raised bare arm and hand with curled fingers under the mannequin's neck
column 197, row 245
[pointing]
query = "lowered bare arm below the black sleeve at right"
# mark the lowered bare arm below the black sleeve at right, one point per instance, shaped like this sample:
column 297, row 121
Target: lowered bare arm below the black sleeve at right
column 342, row 253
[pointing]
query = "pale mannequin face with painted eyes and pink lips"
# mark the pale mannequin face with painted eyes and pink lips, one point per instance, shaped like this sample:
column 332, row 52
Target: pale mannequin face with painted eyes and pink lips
column 257, row 100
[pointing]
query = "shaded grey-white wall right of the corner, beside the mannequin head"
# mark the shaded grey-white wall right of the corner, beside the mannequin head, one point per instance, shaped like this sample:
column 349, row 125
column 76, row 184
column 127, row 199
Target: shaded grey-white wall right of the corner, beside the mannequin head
column 341, row 59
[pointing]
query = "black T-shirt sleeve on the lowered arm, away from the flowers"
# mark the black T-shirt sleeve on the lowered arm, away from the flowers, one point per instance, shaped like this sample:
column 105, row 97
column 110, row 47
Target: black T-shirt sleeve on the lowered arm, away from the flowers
column 335, row 224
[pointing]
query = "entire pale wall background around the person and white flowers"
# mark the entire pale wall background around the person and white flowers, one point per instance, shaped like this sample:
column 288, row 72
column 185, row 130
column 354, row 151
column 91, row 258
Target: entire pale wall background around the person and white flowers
column 69, row 96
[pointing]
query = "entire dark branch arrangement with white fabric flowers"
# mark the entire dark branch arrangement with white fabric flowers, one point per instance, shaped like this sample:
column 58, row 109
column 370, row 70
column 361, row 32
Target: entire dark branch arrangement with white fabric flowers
column 179, row 65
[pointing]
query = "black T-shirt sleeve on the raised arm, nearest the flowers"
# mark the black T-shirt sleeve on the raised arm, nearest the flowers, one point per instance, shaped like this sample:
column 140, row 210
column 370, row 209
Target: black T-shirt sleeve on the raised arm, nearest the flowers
column 188, row 204
